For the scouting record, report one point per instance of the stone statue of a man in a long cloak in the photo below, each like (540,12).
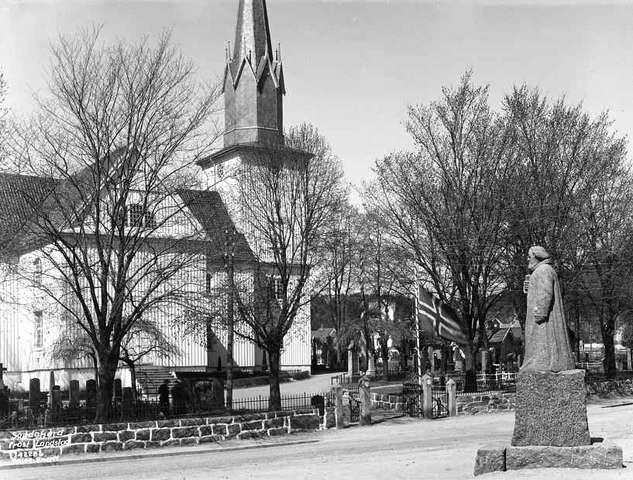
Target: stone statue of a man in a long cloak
(547,346)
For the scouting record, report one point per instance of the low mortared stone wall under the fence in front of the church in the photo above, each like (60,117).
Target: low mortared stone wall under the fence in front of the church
(50,443)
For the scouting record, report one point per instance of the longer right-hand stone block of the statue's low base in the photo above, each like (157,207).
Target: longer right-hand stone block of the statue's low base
(598,455)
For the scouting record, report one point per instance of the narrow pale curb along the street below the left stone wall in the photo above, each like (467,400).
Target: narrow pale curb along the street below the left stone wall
(155,453)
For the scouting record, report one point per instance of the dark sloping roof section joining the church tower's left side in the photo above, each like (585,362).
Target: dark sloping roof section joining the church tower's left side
(209,210)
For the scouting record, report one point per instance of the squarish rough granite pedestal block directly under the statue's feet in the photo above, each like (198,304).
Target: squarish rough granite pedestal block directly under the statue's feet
(551,409)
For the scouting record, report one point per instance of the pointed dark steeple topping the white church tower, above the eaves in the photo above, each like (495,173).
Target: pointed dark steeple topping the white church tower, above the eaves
(253,81)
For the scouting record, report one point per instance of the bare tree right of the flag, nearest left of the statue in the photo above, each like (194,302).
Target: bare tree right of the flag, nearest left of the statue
(444,203)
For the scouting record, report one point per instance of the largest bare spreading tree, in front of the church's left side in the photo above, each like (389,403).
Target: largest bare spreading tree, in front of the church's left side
(117,137)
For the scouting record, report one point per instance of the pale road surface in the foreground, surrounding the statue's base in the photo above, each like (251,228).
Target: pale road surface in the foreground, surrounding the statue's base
(398,449)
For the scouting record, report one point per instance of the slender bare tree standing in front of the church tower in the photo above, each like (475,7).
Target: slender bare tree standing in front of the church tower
(287,201)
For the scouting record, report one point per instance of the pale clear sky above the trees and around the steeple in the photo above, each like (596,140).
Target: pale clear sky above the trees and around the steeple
(352,67)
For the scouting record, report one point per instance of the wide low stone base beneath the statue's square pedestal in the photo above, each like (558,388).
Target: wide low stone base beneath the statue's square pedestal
(600,454)
